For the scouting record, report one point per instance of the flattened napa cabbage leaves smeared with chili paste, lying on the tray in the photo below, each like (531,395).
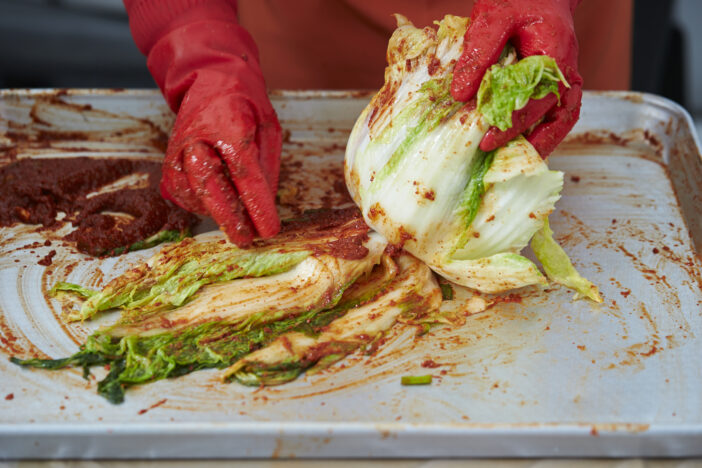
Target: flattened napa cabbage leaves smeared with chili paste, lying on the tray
(286,286)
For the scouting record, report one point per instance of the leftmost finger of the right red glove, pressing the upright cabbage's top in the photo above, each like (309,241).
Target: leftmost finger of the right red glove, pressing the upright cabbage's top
(488,32)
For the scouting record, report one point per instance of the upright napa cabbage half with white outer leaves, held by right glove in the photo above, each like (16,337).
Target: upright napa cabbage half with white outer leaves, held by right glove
(414,167)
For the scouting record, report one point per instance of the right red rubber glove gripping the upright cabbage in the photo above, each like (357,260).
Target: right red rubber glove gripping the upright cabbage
(533,27)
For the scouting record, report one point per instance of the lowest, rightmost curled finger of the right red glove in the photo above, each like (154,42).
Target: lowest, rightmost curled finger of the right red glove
(558,122)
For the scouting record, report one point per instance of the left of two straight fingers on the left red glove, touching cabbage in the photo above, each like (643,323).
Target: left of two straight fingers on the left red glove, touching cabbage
(206,175)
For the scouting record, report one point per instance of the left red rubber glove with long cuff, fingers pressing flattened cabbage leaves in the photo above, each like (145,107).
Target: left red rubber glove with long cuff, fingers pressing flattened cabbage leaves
(223,155)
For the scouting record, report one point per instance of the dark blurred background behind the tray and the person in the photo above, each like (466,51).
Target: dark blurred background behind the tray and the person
(86,43)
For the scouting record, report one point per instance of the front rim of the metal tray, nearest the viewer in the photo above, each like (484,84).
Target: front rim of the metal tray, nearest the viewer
(353,441)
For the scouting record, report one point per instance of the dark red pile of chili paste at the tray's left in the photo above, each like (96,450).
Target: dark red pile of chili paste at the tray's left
(108,221)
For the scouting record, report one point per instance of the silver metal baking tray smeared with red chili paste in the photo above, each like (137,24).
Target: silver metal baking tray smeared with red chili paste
(542,375)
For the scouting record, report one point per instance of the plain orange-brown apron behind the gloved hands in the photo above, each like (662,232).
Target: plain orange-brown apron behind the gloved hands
(340,44)
